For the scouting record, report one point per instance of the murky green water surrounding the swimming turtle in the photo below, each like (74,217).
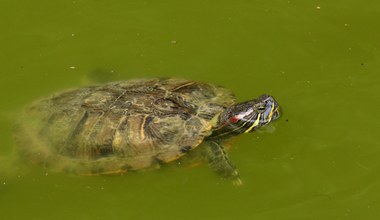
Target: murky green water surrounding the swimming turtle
(320,59)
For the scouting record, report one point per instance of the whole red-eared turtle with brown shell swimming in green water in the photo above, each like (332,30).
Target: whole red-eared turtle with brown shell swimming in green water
(123,126)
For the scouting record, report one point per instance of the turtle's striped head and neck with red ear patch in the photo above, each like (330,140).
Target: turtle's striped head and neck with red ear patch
(247,116)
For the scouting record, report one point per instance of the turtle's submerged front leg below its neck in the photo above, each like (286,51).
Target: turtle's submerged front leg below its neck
(219,162)
